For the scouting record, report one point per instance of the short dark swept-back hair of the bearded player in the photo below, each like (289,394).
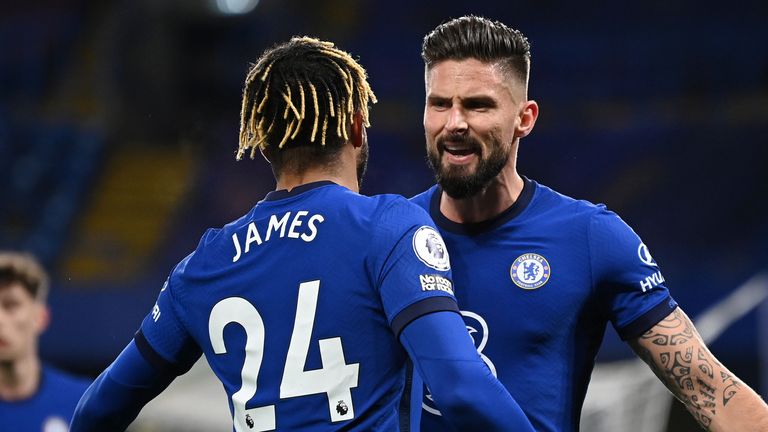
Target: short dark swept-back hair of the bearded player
(479,38)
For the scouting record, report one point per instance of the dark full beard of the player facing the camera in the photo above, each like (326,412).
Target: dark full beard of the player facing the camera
(460,181)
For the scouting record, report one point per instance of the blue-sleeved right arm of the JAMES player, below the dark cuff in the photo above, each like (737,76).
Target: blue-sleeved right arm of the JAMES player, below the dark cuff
(464,389)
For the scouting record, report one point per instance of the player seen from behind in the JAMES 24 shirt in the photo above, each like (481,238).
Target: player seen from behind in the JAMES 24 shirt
(318,294)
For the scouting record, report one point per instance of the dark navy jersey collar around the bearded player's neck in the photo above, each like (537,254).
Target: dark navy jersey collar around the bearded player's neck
(475,228)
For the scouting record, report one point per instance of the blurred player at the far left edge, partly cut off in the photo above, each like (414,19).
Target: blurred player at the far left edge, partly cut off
(33,396)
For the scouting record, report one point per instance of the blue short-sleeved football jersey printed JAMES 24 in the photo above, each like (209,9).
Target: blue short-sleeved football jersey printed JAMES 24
(297,307)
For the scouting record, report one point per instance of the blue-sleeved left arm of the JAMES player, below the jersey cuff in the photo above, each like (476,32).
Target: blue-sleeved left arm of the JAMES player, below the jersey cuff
(114,400)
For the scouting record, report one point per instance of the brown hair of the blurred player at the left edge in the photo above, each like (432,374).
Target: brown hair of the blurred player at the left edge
(24,269)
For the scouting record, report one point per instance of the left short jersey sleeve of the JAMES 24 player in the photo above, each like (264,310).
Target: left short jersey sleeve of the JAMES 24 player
(163,339)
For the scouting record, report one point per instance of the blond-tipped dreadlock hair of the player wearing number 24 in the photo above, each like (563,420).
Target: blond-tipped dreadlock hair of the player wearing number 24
(298,101)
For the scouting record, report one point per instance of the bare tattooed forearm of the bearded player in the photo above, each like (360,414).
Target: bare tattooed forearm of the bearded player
(716,398)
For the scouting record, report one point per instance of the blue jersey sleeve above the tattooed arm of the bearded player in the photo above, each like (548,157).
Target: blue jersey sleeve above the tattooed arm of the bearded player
(626,276)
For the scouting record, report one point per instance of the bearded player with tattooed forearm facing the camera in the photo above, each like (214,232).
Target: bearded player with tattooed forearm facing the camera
(539,274)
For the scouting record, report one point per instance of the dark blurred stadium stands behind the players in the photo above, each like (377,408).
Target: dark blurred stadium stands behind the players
(119,120)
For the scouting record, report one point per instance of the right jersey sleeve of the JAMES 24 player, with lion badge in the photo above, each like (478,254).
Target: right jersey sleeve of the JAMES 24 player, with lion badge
(413,267)
